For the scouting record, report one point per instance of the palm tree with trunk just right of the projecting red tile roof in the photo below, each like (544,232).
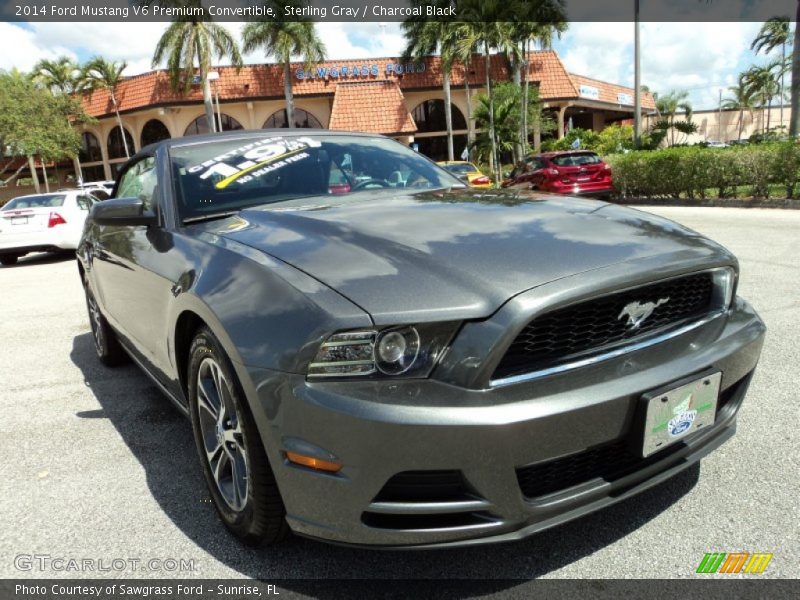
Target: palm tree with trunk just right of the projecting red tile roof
(424,38)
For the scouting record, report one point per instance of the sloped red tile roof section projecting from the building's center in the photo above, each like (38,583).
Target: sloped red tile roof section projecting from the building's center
(372,107)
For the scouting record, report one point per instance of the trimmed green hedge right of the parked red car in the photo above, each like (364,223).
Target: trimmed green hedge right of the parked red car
(697,172)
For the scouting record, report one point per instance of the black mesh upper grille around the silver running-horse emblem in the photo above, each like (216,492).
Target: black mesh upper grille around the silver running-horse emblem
(578,330)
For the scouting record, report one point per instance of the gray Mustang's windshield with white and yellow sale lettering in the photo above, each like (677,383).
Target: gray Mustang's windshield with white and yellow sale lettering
(227,175)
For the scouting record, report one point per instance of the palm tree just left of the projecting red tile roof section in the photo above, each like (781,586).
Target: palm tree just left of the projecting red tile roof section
(284,39)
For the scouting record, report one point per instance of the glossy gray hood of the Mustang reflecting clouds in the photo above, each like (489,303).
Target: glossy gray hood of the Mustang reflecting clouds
(437,256)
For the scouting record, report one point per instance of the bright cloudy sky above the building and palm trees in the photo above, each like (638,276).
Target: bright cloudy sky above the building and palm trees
(700,58)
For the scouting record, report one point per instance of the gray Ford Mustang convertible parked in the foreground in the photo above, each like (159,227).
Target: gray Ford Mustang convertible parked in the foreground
(369,353)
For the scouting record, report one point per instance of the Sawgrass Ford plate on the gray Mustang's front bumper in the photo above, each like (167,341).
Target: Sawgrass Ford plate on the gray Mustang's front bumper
(674,413)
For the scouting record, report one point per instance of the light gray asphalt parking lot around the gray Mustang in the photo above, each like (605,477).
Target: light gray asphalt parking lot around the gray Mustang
(99,465)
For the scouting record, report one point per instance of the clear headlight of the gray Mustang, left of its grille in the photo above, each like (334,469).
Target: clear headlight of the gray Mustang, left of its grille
(407,351)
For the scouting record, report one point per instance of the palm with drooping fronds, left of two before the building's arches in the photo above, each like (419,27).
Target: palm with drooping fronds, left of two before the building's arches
(190,40)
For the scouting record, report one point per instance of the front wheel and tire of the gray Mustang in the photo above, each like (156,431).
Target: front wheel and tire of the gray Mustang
(233,459)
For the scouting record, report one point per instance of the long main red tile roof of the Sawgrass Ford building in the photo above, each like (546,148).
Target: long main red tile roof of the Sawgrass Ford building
(266,82)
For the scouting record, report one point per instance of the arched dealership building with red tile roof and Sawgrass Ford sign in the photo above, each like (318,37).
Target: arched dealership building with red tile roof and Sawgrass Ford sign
(377,95)
